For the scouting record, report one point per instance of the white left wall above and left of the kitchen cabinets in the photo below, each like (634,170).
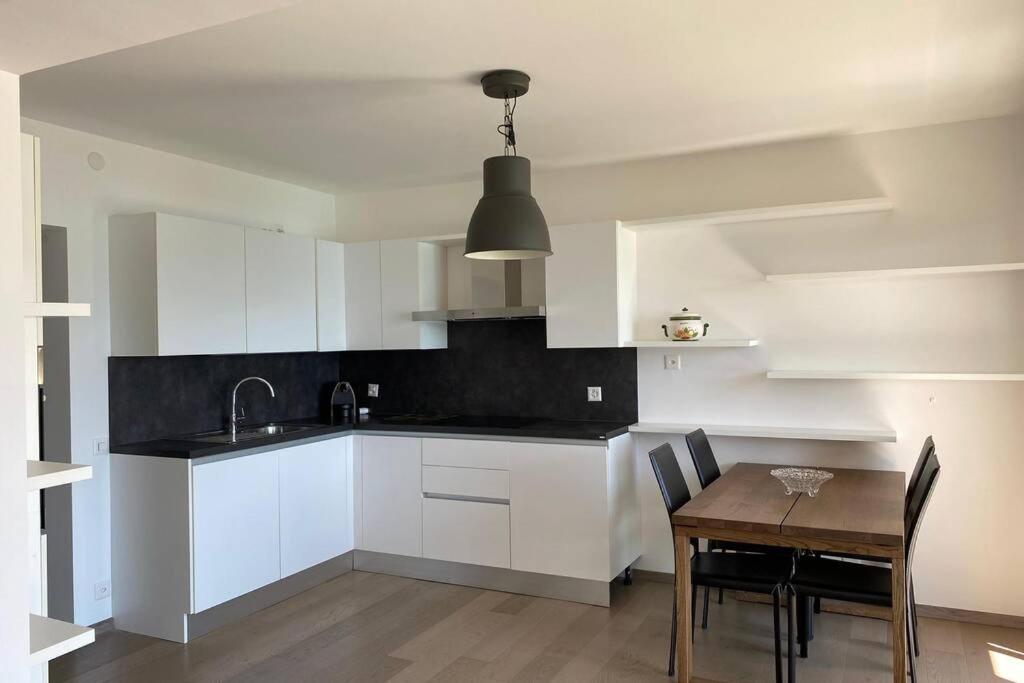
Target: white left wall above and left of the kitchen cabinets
(80,199)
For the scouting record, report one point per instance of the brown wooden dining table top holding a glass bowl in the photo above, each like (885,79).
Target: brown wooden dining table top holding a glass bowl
(865,506)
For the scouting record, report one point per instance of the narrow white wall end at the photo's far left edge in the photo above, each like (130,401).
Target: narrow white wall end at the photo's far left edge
(14,511)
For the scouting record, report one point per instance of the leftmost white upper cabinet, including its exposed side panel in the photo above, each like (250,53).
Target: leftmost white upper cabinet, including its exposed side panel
(178,286)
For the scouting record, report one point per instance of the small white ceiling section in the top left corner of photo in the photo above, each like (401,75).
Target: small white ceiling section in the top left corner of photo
(37,34)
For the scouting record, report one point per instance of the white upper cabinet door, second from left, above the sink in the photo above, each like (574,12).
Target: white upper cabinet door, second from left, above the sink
(281,292)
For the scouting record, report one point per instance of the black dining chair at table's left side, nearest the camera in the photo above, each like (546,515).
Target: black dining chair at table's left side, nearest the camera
(766,575)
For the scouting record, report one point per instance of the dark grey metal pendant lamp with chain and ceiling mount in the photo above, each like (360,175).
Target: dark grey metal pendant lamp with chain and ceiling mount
(507,224)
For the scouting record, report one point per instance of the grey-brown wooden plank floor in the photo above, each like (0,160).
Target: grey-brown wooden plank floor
(366,627)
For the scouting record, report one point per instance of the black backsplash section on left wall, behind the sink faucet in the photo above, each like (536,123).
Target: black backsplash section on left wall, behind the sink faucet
(159,397)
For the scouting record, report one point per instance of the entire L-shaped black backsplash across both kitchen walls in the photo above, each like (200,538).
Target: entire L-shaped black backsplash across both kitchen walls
(495,368)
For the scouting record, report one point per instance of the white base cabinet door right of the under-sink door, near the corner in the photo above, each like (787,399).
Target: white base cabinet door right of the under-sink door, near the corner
(316,520)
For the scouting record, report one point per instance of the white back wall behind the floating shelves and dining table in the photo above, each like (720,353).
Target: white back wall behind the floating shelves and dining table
(958,195)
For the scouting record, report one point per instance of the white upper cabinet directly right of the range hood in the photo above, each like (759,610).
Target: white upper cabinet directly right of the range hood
(591,286)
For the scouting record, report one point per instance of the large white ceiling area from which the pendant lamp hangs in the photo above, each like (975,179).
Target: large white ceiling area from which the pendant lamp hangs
(349,95)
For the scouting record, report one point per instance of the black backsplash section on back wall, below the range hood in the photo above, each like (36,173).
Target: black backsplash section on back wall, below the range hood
(499,368)
